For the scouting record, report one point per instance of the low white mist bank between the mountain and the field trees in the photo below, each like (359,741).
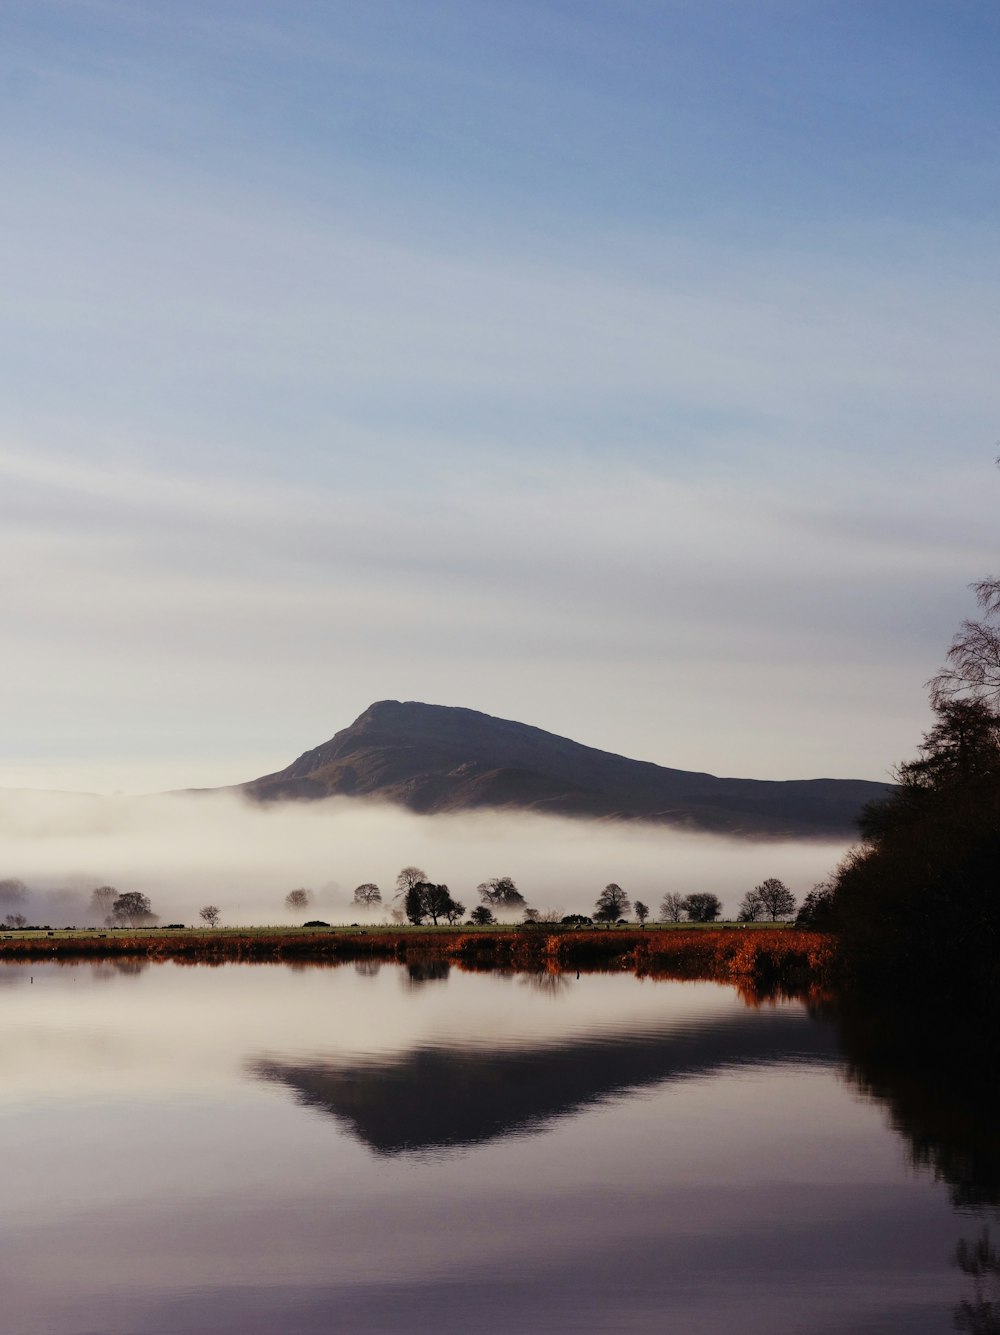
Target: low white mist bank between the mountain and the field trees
(185,851)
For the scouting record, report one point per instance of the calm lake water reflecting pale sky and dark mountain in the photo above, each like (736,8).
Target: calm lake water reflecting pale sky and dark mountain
(361,1149)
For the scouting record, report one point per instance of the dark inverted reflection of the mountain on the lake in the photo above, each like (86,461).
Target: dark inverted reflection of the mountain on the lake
(461,1095)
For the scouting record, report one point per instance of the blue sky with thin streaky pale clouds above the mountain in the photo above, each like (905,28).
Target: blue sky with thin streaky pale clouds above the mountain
(627,369)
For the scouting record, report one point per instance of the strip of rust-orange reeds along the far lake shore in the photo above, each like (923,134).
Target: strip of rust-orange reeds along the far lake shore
(726,954)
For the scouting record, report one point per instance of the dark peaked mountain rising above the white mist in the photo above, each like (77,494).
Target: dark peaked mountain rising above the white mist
(440,759)
